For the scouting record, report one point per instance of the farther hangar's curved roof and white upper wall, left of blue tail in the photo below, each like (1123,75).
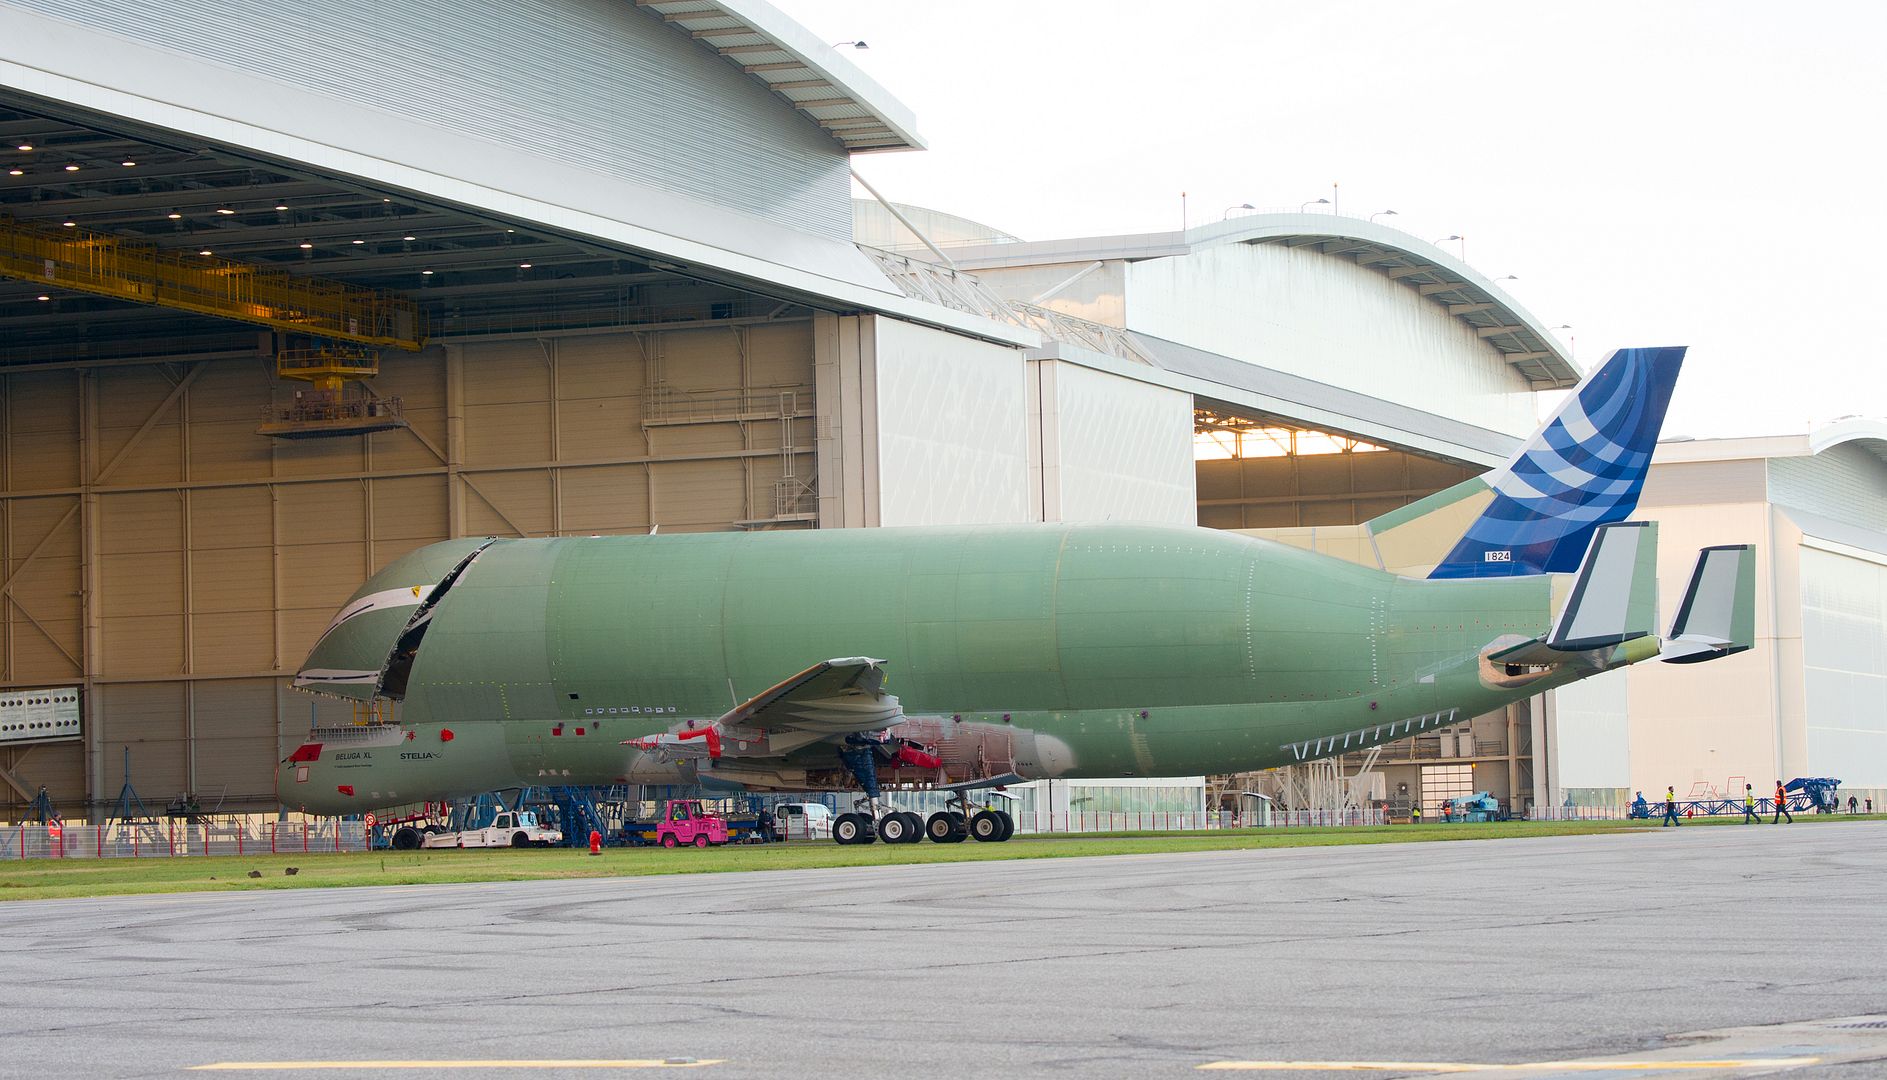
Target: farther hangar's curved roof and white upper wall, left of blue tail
(1339,322)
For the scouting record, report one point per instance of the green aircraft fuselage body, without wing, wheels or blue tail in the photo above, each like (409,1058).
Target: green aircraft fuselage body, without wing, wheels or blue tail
(1029,650)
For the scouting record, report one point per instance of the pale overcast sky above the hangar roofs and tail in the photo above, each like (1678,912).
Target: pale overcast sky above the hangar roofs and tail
(1652,173)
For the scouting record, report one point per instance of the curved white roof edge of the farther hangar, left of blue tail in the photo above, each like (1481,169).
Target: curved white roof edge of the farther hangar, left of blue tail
(1418,265)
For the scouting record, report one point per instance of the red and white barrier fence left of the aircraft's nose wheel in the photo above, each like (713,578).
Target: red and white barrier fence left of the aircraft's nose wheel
(175,839)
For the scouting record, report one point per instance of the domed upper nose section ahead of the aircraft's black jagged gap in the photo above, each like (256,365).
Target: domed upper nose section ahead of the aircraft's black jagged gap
(373,630)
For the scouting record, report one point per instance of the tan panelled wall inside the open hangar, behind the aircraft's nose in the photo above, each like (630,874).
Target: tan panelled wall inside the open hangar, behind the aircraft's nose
(218,556)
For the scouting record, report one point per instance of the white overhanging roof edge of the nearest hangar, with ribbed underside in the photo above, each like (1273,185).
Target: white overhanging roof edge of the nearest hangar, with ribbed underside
(809,73)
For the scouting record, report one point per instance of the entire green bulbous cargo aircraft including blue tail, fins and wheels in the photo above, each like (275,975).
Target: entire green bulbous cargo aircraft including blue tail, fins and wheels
(767,662)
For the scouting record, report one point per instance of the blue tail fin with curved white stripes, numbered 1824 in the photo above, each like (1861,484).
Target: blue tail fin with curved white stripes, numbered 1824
(1580,471)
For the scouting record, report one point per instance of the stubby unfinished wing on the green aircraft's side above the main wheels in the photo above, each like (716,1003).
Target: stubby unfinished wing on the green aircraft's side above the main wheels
(829,700)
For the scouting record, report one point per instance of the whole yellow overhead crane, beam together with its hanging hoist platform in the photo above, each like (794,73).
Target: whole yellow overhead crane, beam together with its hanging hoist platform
(210,286)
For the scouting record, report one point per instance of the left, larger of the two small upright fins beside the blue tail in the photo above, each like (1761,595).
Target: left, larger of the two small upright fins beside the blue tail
(1616,594)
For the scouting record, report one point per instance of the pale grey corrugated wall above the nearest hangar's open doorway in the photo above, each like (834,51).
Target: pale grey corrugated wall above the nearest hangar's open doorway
(597,84)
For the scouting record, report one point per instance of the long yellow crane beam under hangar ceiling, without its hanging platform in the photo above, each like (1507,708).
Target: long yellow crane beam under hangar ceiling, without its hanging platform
(210,286)
